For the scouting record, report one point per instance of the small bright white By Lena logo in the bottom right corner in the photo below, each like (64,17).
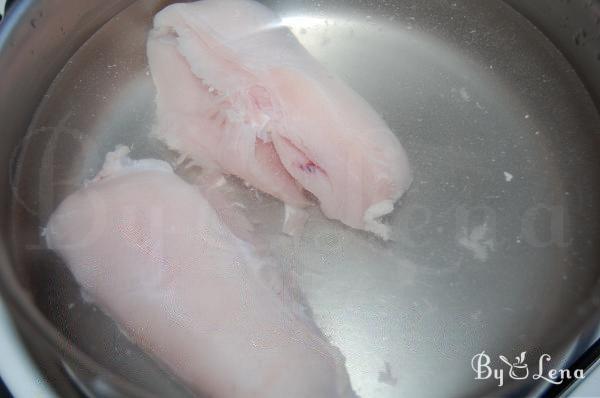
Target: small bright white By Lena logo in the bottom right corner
(519,370)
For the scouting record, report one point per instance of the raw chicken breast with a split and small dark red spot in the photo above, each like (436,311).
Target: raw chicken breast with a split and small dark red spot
(237,91)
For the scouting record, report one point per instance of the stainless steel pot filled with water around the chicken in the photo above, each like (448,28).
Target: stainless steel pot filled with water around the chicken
(497,245)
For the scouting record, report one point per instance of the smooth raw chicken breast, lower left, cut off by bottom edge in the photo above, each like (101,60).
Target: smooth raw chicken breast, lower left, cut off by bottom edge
(151,251)
